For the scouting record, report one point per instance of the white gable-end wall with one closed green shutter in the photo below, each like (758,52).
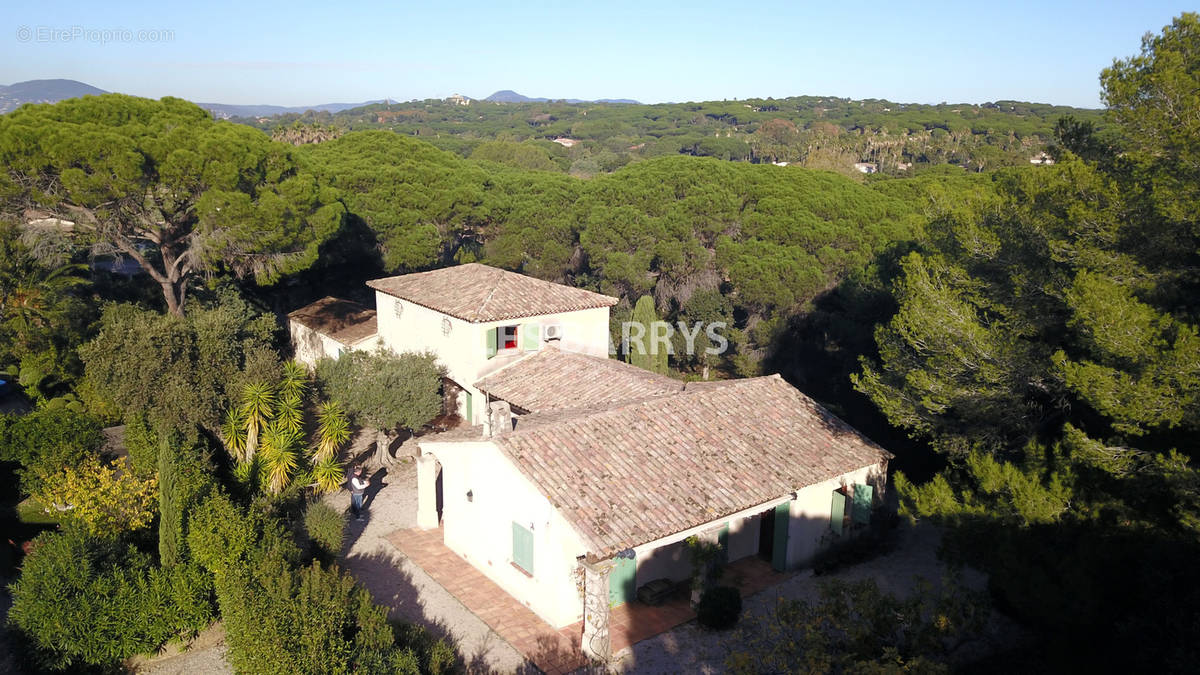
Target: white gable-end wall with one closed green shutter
(482,530)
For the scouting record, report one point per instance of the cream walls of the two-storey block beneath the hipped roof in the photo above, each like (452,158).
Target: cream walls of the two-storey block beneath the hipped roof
(464,351)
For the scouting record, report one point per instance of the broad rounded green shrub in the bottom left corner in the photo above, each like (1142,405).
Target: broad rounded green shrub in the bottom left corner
(89,602)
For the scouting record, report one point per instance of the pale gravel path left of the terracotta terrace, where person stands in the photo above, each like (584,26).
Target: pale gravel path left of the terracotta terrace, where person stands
(405,588)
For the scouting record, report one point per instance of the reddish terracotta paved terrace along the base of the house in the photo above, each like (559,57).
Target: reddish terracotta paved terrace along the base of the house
(551,650)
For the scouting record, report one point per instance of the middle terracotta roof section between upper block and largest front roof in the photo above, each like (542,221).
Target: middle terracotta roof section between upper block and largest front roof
(556,380)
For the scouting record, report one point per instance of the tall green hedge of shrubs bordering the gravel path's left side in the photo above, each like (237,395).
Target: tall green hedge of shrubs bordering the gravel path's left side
(280,619)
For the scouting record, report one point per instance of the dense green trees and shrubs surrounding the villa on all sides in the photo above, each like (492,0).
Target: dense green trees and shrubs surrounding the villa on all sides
(1023,338)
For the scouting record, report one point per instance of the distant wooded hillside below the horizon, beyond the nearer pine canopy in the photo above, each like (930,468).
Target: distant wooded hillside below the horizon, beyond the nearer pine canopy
(811,132)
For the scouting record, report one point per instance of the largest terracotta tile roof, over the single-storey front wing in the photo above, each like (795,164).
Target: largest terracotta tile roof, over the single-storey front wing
(635,473)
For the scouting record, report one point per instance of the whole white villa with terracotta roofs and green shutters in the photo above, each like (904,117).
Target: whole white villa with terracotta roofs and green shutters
(578,479)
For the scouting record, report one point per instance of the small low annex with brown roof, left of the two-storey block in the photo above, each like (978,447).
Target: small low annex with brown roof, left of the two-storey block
(329,328)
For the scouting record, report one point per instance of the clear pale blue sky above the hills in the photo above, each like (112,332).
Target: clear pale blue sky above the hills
(308,53)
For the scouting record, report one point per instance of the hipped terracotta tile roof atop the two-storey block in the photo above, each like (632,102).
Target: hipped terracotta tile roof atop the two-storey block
(477,294)
